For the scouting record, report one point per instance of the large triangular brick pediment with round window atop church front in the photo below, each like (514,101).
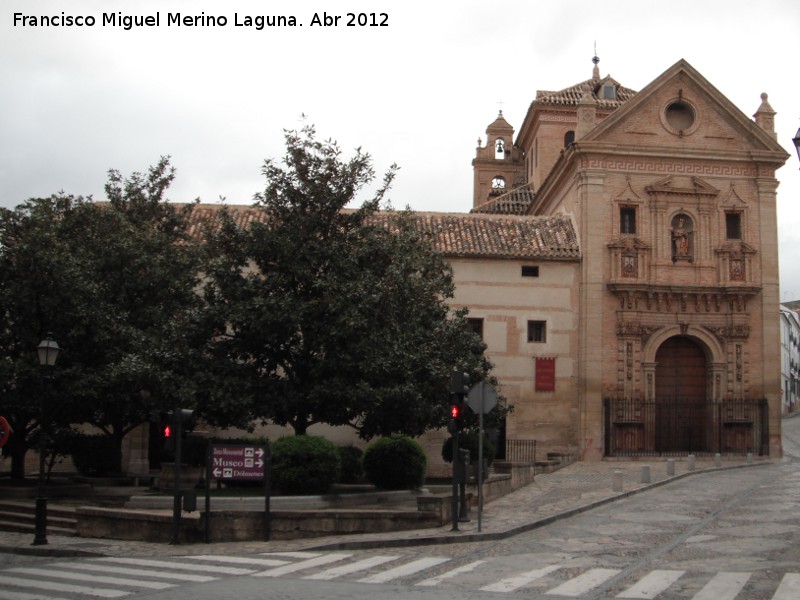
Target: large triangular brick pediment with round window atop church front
(682,110)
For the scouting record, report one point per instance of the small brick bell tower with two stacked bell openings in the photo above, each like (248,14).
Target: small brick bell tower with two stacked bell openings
(497,166)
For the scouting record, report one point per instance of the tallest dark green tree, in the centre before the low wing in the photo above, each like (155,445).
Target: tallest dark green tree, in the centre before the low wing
(327,314)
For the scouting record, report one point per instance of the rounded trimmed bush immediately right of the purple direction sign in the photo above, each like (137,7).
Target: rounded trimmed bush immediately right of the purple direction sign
(304,464)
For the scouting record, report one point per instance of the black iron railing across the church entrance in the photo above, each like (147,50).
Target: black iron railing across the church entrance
(680,426)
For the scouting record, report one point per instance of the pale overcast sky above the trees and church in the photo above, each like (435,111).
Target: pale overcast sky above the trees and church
(418,91)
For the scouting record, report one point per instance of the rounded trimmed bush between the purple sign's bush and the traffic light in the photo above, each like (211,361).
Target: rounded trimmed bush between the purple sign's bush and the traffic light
(395,463)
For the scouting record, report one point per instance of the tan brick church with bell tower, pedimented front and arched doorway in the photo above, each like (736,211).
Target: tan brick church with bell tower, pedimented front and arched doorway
(674,345)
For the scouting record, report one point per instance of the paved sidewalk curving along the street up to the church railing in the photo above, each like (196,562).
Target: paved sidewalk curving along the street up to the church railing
(572,489)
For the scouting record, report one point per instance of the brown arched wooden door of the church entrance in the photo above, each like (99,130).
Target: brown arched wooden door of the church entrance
(682,412)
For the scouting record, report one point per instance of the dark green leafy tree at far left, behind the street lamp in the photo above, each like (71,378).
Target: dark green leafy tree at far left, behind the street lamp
(115,285)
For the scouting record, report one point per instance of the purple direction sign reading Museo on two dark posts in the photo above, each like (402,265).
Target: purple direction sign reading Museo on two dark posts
(235,462)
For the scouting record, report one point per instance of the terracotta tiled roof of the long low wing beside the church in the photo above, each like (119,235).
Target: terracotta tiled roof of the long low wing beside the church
(459,234)
